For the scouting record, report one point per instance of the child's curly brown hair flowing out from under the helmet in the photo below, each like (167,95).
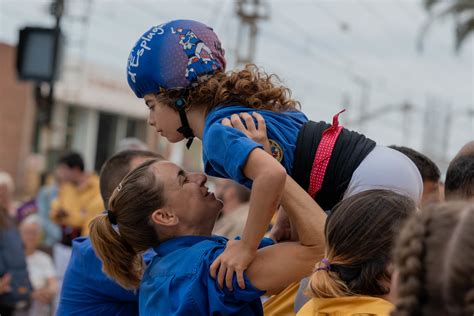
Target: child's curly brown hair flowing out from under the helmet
(250,87)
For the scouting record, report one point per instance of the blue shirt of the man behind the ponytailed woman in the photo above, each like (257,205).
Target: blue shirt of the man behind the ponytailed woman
(86,290)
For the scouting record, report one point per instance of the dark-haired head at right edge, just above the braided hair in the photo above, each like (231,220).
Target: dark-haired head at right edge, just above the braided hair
(460,178)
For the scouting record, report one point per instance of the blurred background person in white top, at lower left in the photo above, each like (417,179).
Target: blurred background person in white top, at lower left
(40,266)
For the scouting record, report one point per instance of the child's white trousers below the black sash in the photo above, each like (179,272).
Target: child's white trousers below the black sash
(385,168)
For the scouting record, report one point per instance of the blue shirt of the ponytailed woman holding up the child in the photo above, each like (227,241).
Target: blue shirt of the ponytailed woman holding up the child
(178,282)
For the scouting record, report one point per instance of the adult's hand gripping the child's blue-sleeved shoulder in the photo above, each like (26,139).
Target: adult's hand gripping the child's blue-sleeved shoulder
(256,133)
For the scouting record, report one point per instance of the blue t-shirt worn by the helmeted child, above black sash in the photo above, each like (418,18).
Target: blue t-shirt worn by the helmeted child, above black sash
(226,149)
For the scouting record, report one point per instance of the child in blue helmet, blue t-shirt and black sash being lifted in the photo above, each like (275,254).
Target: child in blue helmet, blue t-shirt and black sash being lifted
(179,69)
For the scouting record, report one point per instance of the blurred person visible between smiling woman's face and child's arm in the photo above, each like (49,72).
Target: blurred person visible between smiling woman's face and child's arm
(234,213)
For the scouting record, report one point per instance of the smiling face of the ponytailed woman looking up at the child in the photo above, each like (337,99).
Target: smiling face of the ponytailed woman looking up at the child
(187,195)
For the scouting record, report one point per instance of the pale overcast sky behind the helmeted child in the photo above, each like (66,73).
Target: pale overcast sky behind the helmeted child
(337,54)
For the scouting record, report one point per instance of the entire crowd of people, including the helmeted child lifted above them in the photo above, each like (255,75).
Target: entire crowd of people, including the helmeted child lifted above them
(307,218)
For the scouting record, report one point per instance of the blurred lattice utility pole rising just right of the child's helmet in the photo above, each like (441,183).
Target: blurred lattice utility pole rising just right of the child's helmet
(249,13)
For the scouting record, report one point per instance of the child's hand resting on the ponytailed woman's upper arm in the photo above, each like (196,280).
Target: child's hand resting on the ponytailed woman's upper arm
(236,257)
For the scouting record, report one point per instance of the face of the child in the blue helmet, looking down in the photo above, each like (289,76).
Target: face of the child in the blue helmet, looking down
(163,118)
